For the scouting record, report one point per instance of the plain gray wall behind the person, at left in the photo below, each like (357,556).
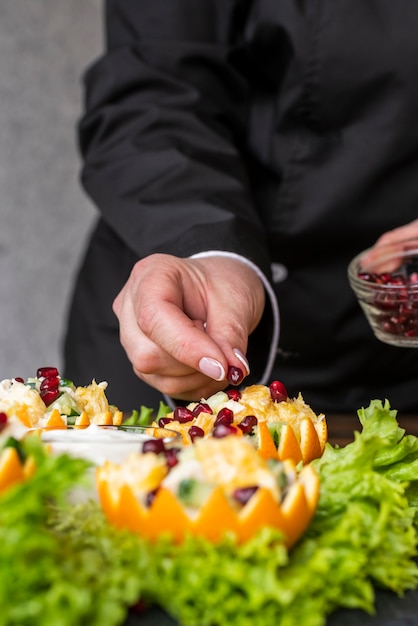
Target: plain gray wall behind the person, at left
(45,218)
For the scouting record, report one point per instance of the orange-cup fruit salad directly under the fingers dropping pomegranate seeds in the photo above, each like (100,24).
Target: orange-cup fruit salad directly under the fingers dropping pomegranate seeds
(281,427)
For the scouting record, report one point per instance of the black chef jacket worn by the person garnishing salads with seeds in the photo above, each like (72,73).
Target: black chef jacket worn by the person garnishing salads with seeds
(285,131)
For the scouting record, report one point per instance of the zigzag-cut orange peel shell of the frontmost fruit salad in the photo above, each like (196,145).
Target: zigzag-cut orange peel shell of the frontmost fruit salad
(167,515)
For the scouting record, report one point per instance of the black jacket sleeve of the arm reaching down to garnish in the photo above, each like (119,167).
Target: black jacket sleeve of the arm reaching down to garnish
(164,129)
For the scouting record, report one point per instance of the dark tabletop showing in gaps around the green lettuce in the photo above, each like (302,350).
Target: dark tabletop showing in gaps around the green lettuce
(390,609)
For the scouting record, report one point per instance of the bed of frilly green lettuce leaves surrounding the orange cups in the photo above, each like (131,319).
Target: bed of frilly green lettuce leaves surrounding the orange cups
(64,564)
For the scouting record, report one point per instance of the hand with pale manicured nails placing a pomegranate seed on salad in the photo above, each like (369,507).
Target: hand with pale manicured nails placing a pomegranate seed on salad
(183,322)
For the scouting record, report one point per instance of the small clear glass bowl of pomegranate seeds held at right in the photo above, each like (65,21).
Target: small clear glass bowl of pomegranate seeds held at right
(385,281)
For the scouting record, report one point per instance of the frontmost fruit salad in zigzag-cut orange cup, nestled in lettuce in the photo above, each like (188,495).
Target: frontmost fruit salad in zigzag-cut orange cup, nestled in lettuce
(216,486)
